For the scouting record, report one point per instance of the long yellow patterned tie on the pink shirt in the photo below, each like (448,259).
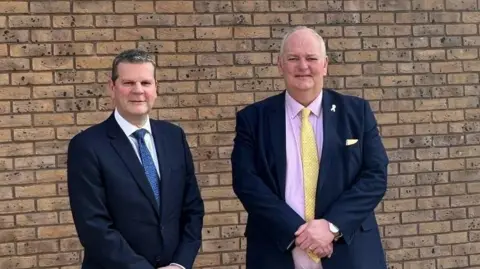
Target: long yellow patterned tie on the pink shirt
(310,170)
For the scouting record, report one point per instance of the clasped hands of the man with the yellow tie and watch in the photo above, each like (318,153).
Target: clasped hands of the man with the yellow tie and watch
(315,236)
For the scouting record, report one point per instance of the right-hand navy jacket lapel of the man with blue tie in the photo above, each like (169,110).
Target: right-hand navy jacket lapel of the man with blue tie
(163,148)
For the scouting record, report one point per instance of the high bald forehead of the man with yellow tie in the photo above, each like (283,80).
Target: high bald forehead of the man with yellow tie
(302,42)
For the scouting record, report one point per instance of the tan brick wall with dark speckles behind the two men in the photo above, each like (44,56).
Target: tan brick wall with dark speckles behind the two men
(415,60)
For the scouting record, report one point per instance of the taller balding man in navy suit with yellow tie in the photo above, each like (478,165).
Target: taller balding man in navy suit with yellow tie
(309,167)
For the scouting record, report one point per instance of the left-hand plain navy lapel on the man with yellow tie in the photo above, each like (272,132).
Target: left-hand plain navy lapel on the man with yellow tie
(276,120)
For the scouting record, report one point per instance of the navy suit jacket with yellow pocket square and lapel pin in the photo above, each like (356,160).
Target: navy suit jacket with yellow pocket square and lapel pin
(352,181)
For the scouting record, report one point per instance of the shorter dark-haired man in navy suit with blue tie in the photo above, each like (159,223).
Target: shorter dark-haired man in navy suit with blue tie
(133,191)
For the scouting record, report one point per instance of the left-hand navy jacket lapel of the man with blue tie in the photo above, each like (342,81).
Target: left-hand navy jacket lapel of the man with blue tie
(124,149)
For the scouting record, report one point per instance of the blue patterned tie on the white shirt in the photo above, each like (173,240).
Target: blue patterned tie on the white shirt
(147,162)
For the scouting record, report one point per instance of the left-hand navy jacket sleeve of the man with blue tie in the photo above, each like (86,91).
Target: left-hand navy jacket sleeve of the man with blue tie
(94,225)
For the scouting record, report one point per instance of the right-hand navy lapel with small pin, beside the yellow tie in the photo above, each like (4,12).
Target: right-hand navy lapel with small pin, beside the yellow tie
(330,119)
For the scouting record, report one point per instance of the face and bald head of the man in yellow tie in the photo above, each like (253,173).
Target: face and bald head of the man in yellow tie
(302,63)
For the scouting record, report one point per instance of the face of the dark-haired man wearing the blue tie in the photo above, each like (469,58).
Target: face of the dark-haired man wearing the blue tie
(134,92)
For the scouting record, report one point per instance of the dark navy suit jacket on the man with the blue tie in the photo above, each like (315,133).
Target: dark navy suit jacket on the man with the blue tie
(115,213)
